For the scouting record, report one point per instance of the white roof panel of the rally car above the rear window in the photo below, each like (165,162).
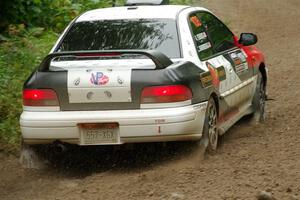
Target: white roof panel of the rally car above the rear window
(133,12)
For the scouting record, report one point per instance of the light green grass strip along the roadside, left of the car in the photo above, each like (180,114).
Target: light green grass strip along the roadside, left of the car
(19,55)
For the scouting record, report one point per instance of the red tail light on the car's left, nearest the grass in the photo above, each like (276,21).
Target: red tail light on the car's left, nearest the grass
(40,97)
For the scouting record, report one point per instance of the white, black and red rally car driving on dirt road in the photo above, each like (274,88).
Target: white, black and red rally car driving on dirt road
(144,73)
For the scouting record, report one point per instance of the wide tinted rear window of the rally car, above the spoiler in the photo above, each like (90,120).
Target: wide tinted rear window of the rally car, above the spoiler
(142,34)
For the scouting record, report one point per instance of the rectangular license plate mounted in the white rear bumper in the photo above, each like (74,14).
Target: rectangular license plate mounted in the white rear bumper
(99,133)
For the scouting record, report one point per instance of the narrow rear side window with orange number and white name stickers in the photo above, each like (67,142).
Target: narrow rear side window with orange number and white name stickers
(202,42)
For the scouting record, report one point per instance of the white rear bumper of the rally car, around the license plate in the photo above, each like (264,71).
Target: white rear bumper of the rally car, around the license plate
(144,125)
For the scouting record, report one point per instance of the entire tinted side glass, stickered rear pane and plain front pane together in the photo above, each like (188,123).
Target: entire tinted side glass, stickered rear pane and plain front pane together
(211,36)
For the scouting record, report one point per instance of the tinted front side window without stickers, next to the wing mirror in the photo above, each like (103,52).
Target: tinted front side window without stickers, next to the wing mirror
(220,36)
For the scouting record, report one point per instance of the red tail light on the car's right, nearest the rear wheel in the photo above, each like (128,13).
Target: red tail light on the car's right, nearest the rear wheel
(166,94)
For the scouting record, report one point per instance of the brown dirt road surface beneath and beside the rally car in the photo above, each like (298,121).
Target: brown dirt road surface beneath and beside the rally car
(250,158)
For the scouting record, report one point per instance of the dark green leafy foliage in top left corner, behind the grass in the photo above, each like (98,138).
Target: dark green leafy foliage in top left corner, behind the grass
(46,13)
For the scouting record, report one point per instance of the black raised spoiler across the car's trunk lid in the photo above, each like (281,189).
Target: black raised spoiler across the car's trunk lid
(160,60)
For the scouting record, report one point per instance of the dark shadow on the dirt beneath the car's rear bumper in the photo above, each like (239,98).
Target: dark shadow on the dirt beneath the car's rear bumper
(85,160)
